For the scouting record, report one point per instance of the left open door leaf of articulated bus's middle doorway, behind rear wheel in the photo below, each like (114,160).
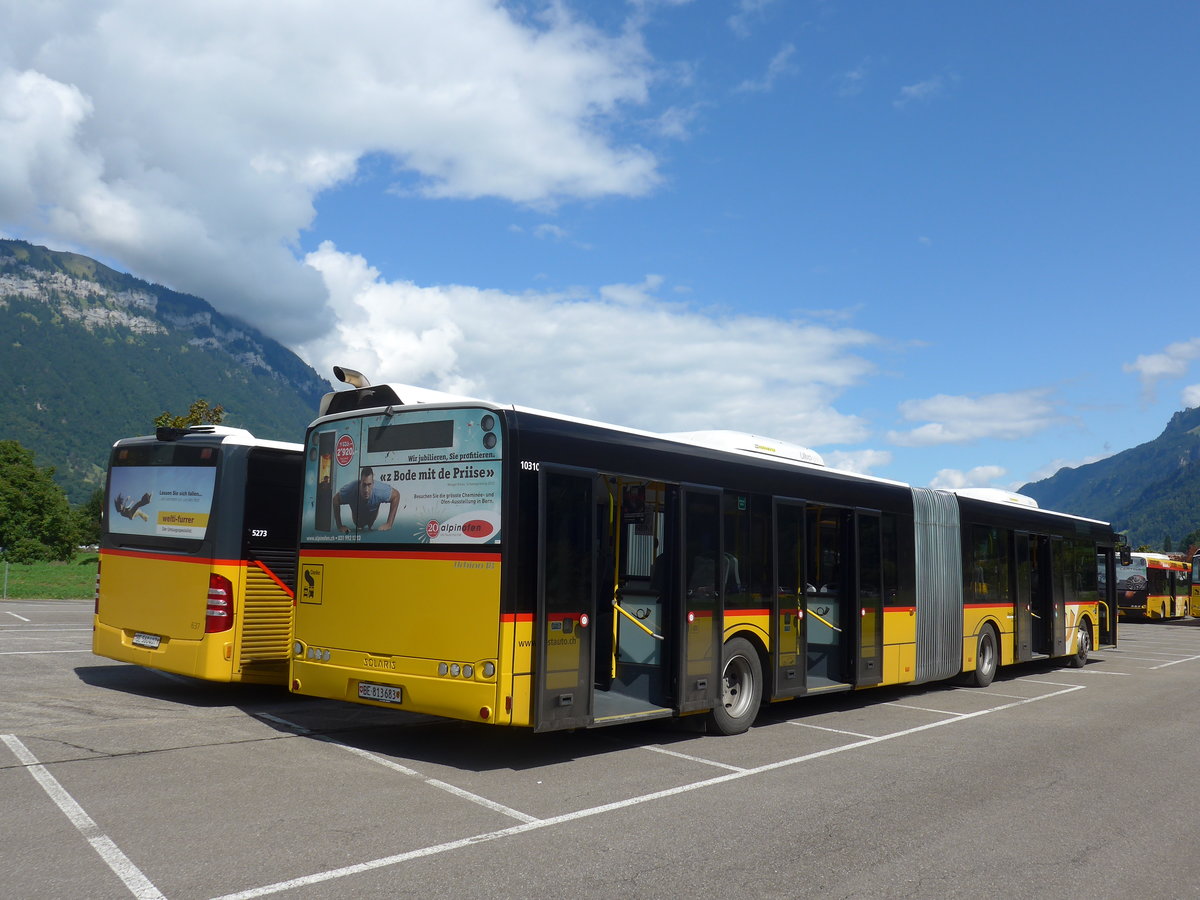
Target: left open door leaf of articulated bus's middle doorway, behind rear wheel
(789,620)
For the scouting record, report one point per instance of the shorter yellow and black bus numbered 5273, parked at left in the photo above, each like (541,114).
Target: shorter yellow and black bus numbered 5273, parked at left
(199,554)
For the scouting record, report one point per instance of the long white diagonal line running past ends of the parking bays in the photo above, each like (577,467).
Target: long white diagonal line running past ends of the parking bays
(386,862)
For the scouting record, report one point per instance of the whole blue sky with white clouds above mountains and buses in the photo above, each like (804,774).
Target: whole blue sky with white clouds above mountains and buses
(953,244)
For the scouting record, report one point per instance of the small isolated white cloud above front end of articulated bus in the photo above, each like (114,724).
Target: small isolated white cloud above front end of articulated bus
(962,421)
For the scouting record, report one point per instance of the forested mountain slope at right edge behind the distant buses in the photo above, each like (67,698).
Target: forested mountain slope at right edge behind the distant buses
(1150,493)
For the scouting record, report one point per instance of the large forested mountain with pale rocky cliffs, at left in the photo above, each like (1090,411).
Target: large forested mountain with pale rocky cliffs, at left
(91,356)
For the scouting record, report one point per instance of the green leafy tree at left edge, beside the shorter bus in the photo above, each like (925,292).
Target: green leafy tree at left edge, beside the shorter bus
(35,518)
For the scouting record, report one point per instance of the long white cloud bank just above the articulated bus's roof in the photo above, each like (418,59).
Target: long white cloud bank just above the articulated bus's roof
(623,357)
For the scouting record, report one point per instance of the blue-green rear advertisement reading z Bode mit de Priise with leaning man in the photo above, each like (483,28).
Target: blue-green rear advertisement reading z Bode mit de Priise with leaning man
(418,477)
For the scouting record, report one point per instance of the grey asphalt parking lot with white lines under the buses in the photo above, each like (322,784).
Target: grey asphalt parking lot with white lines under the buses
(119,781)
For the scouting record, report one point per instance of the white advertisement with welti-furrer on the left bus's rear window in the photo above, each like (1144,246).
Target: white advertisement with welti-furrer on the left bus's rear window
(161,501)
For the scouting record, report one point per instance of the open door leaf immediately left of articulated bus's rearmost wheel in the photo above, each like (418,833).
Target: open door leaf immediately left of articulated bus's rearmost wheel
(700,620)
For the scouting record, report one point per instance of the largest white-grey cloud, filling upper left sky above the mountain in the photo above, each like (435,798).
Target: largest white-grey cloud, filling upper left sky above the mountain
(190,140)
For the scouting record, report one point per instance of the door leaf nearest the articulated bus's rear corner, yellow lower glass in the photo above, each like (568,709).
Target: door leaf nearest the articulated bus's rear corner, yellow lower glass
(567,599)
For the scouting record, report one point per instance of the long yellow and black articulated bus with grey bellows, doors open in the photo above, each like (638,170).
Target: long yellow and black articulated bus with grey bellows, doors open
(511,567)
